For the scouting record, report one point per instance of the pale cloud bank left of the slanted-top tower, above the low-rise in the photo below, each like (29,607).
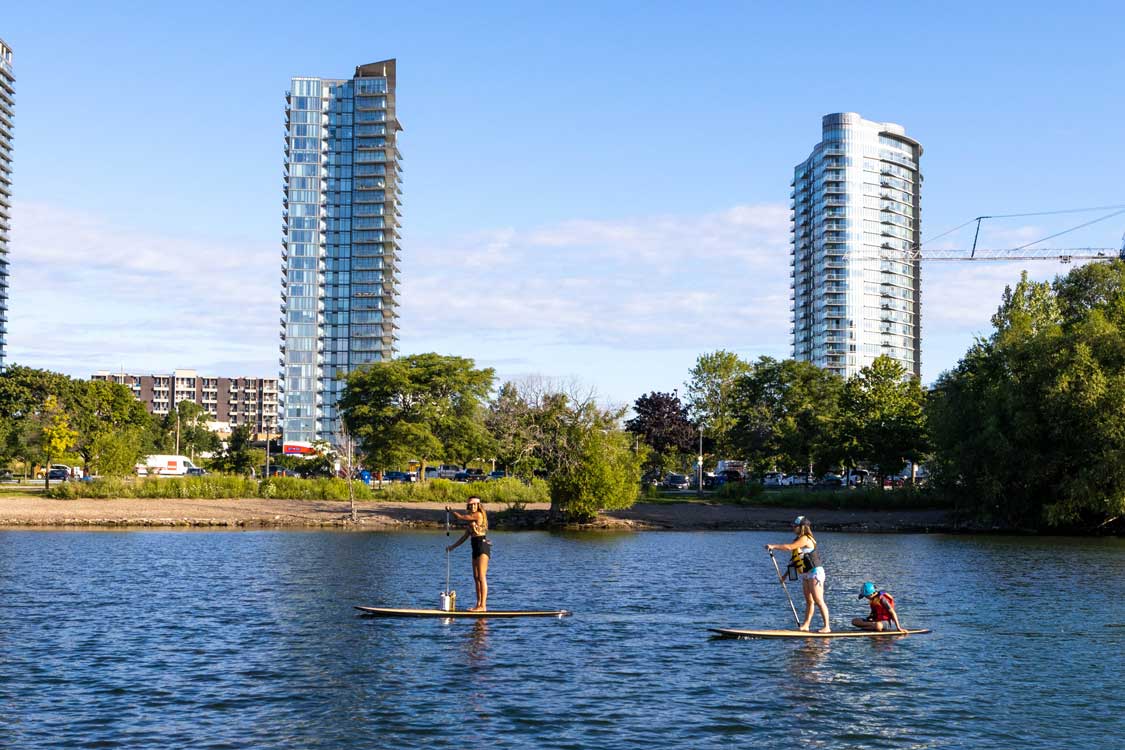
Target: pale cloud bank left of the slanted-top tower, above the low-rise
(87,296)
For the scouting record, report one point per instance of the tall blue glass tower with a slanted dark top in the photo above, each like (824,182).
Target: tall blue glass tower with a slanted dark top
(340,247)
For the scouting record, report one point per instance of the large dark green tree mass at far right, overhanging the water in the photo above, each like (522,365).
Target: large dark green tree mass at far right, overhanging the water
(1029,430)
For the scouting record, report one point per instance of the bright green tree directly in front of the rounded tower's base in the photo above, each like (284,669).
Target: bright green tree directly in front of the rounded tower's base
(884,422)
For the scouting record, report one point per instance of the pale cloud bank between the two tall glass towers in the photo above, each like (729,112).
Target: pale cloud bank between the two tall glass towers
(649,283)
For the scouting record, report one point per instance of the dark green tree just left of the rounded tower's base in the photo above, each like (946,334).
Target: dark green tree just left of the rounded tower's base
(786,415)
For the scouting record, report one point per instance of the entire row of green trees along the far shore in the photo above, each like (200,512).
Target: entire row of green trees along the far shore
(1027,431)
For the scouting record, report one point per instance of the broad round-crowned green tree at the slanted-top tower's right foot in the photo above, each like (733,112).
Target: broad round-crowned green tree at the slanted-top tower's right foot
(418,408)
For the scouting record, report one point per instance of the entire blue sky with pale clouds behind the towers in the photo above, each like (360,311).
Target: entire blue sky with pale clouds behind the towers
(593,192)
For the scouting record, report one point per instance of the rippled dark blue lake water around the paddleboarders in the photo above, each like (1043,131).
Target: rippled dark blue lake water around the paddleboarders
(249,639)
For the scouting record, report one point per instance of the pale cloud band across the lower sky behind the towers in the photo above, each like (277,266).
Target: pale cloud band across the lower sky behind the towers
(88,296)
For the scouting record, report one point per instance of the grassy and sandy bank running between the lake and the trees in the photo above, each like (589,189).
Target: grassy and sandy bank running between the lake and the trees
(237,503)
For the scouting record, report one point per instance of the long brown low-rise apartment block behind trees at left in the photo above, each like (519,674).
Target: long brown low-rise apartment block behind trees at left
(235,402)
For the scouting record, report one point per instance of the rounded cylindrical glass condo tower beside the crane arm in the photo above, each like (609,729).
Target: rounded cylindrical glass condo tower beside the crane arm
(856,219)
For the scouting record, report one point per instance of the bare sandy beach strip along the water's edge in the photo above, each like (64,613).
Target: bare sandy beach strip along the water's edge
(256,513)
